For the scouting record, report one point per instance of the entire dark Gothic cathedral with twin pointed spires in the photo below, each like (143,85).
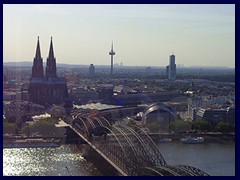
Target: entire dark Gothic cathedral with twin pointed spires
(49,89)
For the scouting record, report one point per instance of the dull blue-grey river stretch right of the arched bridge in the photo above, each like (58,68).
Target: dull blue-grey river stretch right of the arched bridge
(216,159)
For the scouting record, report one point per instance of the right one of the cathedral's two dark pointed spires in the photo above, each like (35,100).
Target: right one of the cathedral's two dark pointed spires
(51,70)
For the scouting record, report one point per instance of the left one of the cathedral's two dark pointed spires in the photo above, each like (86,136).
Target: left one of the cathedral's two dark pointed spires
(37,69)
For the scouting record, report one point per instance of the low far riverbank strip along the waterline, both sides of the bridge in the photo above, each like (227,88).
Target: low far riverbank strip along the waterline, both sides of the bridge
(34,142)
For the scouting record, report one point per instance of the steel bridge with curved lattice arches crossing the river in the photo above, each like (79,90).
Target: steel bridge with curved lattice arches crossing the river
(128,148)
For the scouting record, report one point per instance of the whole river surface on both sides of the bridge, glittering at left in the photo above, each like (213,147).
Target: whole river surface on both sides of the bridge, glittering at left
(217,159)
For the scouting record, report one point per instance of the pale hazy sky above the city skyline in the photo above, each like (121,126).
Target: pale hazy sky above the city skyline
(199,35)
